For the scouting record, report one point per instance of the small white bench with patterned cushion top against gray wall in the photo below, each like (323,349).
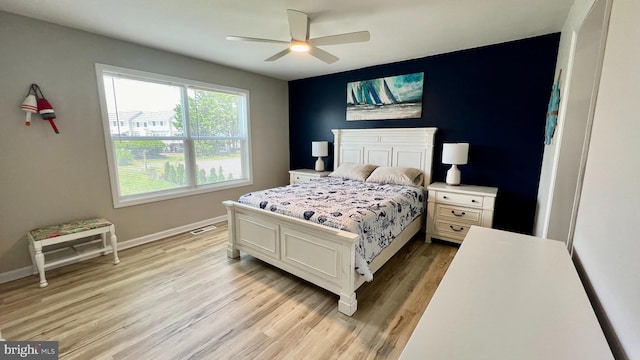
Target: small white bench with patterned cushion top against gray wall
(68,233)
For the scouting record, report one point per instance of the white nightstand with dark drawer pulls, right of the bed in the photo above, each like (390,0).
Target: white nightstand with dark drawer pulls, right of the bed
(451,210)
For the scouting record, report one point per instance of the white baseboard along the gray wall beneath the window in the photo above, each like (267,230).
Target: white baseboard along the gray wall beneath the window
(122,245)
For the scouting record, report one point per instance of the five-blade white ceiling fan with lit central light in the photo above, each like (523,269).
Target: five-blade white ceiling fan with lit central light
(300,42)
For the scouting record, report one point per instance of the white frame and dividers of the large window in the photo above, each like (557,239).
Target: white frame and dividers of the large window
(192,188)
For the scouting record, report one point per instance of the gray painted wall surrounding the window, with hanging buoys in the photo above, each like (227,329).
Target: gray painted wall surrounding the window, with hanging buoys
(47,178)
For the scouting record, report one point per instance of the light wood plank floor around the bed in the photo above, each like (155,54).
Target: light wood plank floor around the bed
(182,298)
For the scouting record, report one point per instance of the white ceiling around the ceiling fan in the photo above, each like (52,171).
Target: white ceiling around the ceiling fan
(400,29)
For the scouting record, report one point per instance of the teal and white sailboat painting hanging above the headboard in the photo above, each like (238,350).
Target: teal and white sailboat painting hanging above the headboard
(393,97)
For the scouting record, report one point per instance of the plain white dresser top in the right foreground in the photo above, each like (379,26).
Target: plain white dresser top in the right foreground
(508,296)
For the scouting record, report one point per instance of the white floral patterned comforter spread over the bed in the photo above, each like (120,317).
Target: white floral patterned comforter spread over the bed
(376,212)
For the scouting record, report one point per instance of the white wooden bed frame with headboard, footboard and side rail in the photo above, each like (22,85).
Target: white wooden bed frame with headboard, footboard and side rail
(319,254)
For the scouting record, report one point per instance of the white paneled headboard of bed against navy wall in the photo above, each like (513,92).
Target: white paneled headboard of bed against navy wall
(410,147)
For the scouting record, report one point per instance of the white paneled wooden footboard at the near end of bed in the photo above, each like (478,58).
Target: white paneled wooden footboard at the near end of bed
(316,253)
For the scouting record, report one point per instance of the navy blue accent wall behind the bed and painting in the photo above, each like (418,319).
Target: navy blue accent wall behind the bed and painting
(494,97)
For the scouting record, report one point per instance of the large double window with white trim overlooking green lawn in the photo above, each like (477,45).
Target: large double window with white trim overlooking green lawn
(201,142)
